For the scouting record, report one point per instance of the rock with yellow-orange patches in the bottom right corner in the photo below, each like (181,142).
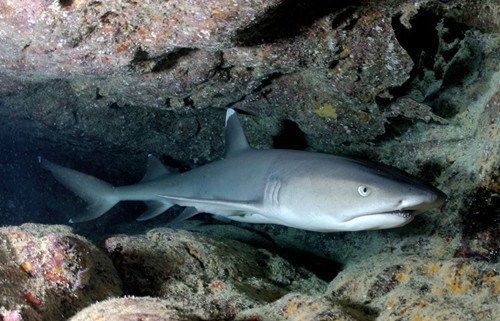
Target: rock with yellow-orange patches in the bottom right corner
(419,288)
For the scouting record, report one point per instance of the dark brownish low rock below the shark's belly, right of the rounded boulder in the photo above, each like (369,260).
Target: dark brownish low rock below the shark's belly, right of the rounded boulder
(217,276)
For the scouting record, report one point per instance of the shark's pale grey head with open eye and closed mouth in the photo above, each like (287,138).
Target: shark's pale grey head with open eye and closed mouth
(350,195)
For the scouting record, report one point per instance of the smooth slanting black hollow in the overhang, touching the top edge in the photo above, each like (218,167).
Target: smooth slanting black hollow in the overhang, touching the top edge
(289,20)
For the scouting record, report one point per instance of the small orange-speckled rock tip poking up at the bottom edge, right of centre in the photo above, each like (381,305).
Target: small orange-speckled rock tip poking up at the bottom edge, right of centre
(299,307)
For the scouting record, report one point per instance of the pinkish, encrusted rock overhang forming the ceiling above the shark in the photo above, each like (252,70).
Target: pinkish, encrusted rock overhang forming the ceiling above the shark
(328,68)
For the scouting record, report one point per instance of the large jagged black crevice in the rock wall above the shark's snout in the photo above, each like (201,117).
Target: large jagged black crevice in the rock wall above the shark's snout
(432,42)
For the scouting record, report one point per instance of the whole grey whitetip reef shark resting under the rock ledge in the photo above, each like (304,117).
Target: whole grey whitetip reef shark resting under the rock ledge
(300,189)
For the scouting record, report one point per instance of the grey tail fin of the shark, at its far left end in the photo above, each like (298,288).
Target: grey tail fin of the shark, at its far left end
(100,195)
